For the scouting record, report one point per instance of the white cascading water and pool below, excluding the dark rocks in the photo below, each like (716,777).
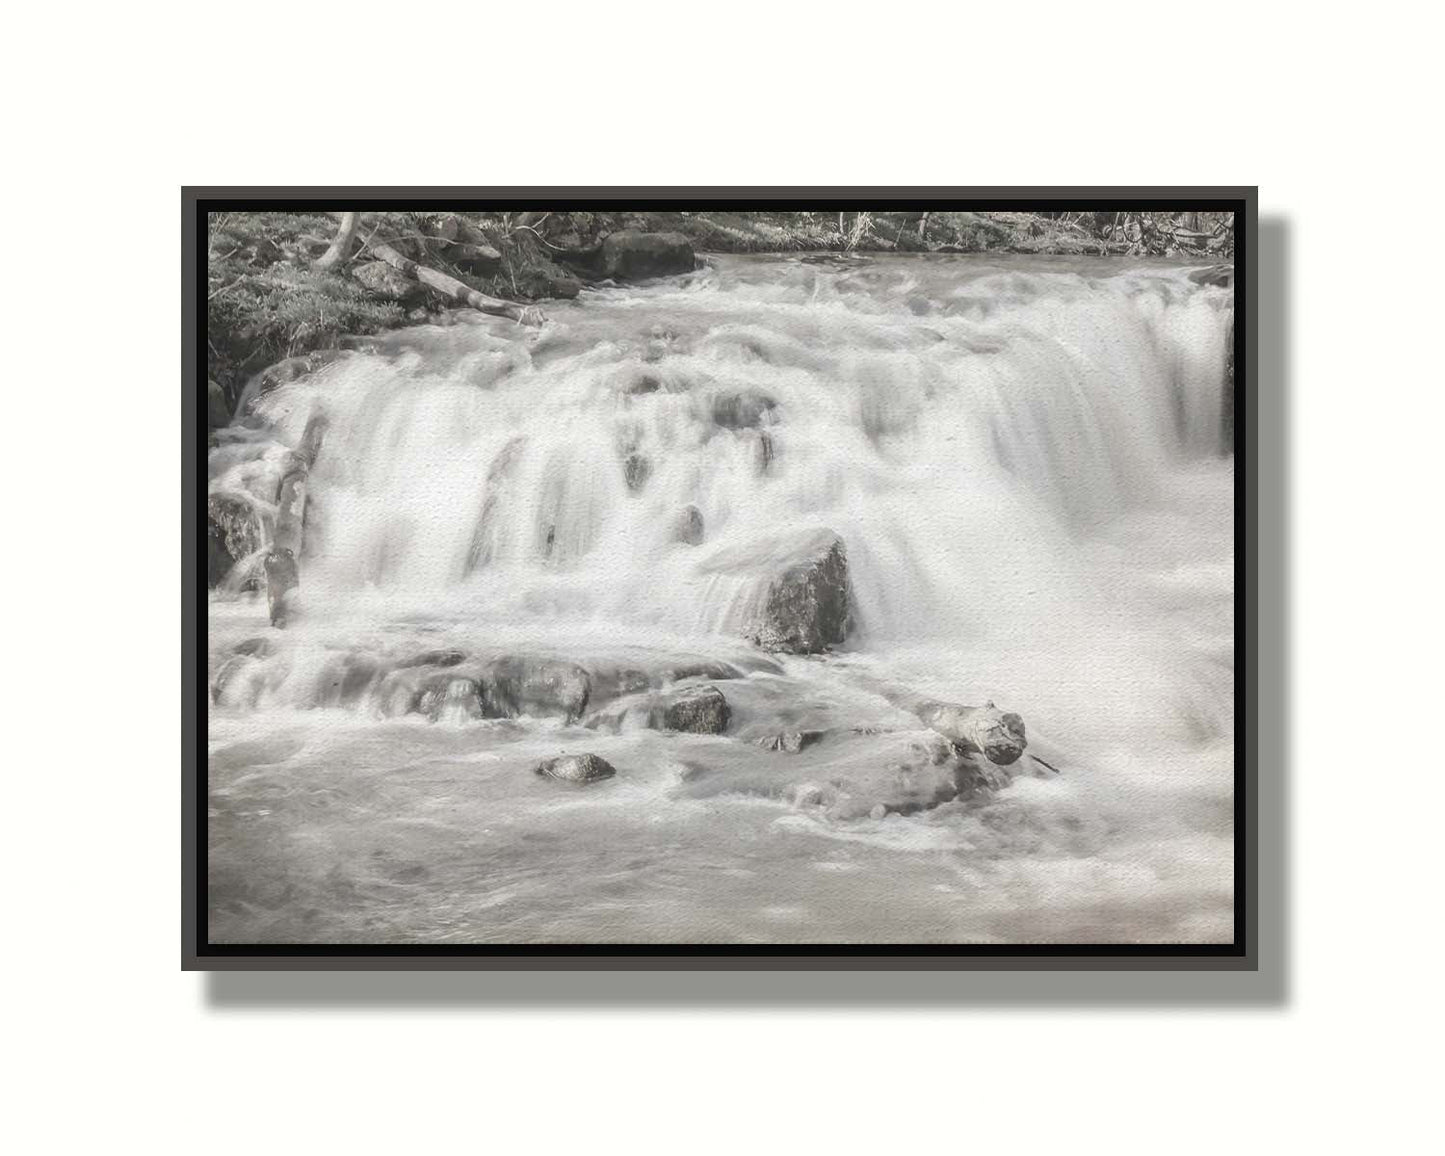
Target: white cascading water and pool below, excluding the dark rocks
(1024,463)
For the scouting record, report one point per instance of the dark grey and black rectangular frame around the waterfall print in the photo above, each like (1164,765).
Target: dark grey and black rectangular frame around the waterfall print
(1241,956)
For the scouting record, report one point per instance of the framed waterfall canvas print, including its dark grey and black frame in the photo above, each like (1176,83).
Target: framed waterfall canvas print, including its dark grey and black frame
(710,579)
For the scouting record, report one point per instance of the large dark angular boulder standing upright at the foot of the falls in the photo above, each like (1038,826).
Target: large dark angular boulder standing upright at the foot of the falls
(808,608)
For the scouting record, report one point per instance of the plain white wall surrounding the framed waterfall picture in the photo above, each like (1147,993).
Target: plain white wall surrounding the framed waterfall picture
(113,112)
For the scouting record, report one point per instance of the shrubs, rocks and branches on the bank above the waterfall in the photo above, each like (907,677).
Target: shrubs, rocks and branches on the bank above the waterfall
(278,285)
